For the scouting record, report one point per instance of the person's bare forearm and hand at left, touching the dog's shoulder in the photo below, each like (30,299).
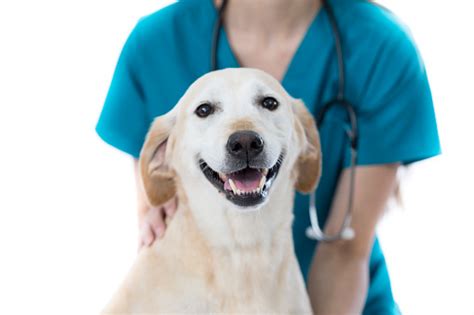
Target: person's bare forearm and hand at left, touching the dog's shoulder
(152,221)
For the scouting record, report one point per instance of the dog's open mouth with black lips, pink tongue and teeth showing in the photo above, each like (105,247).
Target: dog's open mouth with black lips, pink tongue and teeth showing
(246,187)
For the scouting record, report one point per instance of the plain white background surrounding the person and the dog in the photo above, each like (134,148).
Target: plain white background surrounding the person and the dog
(67,200)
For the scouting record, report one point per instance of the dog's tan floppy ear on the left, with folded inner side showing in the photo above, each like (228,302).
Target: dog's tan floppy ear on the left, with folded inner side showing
(157,176)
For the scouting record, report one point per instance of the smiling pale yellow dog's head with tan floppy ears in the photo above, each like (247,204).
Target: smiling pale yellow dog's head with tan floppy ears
(237,133)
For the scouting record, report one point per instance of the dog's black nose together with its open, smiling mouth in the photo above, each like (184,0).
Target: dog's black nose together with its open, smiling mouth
(247,178)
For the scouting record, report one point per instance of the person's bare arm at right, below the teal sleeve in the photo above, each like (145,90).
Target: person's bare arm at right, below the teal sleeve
(339,275)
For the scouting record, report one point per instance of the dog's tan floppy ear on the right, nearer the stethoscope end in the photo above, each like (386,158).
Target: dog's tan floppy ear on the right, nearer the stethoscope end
(308,165)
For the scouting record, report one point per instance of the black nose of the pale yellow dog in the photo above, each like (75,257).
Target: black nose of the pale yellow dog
(245,144)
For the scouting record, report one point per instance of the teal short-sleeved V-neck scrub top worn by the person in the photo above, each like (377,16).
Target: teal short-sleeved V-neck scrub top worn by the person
(385,79)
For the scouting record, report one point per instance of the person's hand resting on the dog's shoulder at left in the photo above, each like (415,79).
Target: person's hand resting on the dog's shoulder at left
(153,223)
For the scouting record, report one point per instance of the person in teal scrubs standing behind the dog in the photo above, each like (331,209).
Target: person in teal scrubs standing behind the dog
(293,41)
